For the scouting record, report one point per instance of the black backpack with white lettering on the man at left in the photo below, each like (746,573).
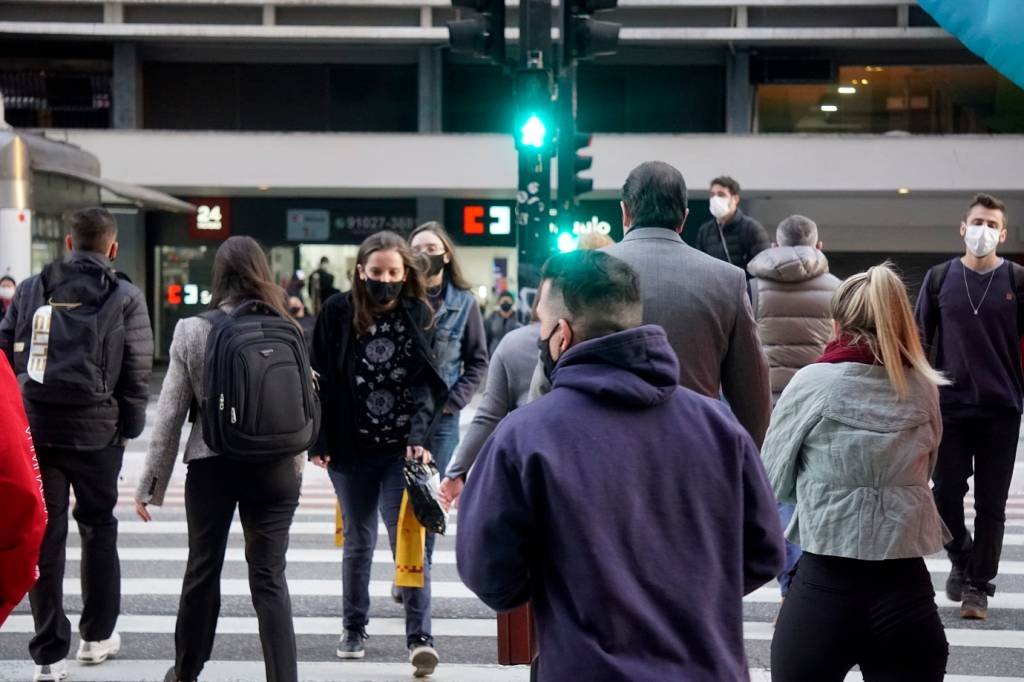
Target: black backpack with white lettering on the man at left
(76,336)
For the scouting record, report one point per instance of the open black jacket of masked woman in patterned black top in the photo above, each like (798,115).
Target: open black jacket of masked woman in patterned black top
(333,358)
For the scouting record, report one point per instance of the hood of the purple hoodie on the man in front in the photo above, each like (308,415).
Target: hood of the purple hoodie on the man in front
(635,368)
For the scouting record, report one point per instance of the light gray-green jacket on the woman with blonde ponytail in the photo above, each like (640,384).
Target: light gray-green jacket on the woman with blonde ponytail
(857,461)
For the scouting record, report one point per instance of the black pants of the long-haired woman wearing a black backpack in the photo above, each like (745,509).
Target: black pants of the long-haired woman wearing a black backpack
(267,496)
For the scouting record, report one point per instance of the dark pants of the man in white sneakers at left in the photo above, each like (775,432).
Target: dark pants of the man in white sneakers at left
(94,475)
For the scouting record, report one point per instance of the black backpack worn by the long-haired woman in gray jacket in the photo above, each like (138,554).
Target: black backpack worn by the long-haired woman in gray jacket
(262,403)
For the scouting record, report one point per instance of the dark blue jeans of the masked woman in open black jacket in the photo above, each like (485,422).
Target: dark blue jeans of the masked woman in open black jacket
(371,484)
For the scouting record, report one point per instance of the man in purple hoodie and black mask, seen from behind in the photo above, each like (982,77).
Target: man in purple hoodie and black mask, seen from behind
(633,513)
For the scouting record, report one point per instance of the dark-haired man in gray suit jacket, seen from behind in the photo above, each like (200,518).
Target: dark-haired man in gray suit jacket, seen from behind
(702,303)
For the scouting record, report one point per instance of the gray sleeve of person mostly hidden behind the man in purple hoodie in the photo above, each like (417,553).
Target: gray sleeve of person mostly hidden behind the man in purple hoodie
(508,385)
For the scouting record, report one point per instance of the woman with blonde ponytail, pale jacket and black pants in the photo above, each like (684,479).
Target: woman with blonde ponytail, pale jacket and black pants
(852,443)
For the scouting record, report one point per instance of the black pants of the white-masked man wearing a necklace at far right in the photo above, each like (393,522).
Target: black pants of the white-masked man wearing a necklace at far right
(987,447)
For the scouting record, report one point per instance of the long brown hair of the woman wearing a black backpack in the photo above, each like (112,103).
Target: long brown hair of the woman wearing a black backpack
(242,273)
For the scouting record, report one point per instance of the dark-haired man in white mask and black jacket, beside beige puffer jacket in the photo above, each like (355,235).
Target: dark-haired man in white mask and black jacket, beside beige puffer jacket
(731,236)
